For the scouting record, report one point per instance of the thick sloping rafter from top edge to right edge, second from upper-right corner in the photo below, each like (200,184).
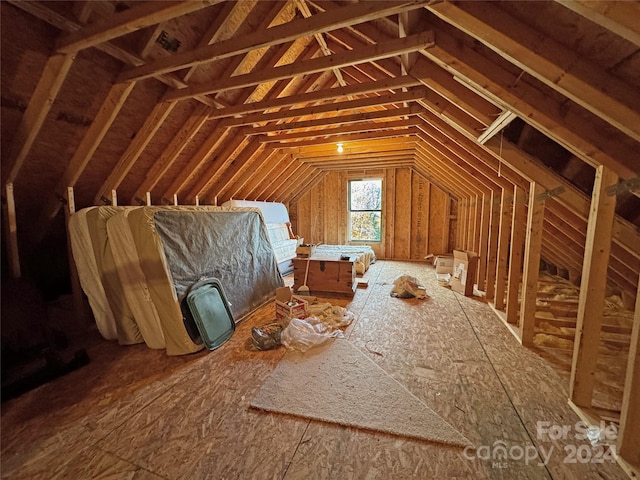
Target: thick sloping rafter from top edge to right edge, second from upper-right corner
(560,68)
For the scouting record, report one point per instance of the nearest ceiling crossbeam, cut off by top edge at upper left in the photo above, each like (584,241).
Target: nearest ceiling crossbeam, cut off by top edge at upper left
(139,16)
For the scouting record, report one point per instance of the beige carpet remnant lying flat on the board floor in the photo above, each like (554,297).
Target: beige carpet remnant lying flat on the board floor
(337,383)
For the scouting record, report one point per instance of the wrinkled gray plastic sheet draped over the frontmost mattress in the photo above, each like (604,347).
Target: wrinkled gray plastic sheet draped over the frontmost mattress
(233,247)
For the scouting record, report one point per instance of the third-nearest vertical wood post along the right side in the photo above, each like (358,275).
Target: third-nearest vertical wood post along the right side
(533,245)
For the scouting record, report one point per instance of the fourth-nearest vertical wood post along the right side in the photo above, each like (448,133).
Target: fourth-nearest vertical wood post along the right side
(518,229)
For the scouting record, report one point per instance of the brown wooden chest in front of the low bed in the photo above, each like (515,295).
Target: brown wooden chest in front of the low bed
(328,274)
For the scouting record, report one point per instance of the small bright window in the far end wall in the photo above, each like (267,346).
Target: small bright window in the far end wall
(365,210)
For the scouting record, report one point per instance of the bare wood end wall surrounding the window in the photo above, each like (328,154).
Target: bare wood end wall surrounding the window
(415,213)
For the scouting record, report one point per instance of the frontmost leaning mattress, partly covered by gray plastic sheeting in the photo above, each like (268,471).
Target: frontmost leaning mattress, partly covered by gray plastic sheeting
(177,247)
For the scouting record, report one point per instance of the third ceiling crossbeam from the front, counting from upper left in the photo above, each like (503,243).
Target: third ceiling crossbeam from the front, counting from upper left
(387,49)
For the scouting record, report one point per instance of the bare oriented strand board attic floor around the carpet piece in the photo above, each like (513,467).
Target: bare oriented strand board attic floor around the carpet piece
(135,413)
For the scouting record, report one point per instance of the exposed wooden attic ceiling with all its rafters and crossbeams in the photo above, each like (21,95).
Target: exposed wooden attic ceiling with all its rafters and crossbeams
(210,100)
